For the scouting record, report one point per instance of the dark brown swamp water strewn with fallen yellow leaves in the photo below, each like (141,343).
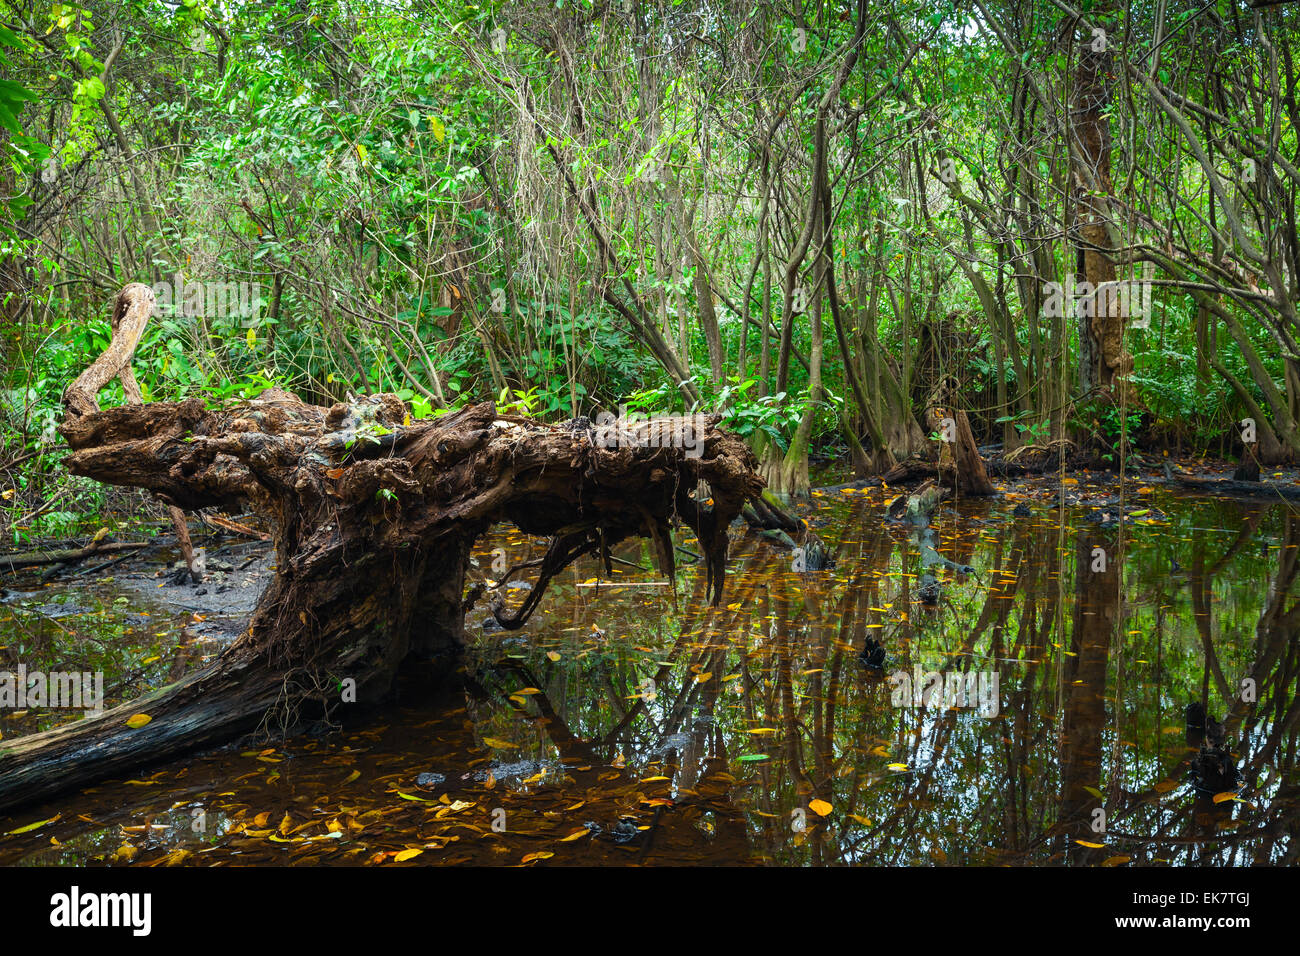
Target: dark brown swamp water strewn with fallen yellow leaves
(623,728)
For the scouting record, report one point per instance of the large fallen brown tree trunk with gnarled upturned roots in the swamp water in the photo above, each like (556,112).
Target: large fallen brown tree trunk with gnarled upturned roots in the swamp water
(374,520)
